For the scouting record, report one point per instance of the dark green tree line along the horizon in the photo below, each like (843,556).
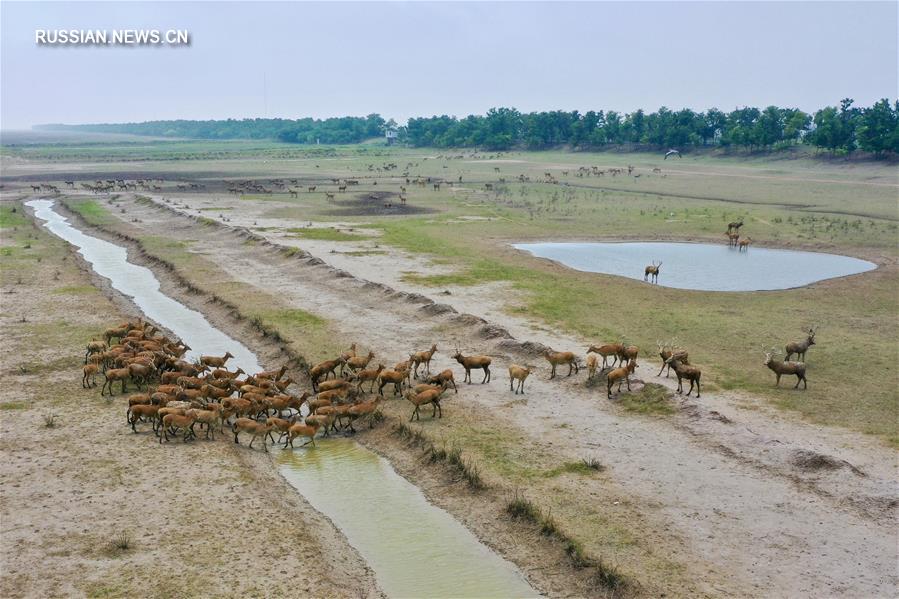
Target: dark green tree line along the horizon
(839,129)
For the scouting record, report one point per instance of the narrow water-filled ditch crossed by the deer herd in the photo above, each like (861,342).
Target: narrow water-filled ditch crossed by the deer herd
(415,548)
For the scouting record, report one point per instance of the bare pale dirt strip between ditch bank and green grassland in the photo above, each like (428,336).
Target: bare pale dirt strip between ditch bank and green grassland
(757,503)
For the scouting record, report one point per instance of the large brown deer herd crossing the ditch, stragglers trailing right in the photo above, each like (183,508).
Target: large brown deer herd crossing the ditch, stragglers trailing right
(175,397)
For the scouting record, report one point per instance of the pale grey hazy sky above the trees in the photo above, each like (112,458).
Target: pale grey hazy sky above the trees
(419,59)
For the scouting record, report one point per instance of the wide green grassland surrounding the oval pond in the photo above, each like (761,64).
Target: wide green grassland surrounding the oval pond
(799,202)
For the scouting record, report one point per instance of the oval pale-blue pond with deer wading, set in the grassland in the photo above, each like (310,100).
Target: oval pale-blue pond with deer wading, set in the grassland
(708,267)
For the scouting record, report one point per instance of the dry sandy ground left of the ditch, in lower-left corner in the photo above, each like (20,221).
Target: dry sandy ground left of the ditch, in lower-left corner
(203,519)
